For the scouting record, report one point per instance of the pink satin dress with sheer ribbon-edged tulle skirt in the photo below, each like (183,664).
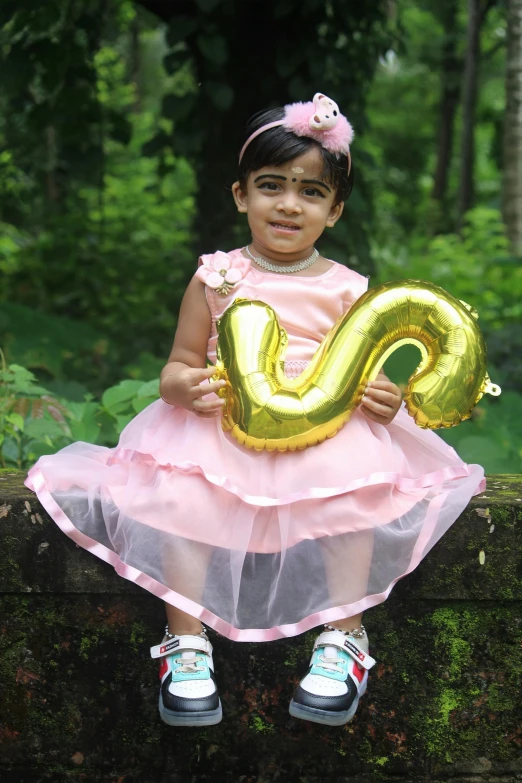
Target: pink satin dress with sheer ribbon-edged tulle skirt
(262,545)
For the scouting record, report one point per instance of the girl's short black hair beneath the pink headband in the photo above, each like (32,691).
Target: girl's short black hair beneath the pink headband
(277,145)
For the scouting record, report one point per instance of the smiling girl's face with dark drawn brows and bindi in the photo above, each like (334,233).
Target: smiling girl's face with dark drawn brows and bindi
(288,206)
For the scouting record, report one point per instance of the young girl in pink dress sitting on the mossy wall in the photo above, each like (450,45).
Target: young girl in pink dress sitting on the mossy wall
(264,545)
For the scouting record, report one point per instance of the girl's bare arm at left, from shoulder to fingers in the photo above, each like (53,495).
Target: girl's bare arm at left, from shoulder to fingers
(180,380)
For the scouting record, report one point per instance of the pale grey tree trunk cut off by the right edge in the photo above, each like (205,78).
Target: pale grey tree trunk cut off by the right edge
(512,182)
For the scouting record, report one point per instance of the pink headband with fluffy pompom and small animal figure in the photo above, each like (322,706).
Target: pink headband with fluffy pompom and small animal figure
(319,119)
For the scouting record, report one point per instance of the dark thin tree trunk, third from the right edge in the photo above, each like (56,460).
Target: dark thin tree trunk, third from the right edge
(450,79)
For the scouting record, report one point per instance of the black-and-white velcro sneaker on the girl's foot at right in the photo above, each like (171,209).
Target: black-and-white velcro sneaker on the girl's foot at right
(335,682)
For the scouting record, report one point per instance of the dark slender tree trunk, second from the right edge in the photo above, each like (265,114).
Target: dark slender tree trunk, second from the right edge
(469,102)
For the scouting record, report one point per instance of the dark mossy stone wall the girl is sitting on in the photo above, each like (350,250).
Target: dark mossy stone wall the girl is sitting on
(78,691)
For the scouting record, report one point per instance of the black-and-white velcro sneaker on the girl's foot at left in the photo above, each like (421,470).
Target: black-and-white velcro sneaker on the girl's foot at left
(188,693)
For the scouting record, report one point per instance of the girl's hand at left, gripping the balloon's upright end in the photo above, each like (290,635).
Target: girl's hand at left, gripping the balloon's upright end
(183,386)
